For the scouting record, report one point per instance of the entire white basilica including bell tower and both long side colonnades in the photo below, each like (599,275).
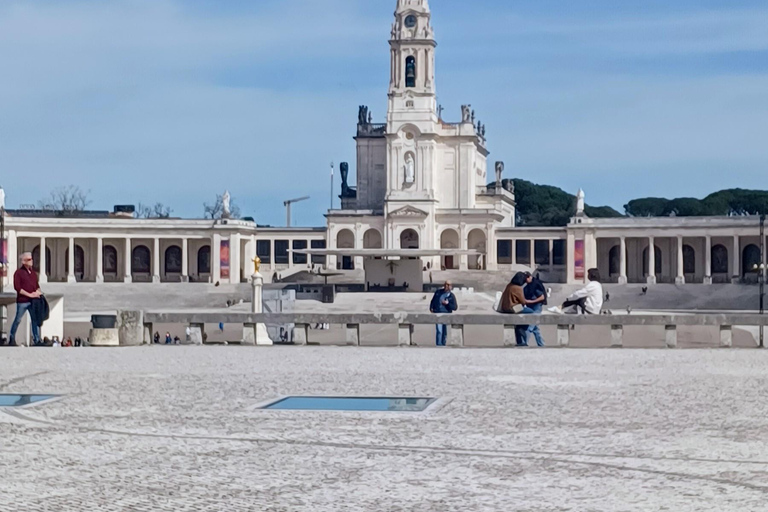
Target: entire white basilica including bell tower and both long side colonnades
(424,184)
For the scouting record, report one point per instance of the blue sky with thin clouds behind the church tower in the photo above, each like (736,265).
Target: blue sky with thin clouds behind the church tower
(177,100)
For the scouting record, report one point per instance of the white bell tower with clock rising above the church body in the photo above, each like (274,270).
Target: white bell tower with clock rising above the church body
(412,63)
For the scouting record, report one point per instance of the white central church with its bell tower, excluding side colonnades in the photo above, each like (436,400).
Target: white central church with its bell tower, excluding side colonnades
(421,181)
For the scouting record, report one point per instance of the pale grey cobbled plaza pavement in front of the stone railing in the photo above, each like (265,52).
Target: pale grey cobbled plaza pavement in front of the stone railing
(175,429)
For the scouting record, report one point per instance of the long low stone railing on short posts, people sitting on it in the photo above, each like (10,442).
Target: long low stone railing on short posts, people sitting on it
(136,327)
